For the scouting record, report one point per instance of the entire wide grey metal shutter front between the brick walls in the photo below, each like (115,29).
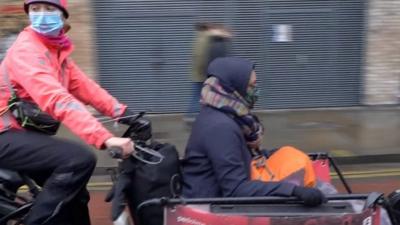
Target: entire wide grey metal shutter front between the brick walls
(144,49)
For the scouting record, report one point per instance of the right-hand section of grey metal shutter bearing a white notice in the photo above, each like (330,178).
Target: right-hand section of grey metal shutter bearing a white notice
(321,64)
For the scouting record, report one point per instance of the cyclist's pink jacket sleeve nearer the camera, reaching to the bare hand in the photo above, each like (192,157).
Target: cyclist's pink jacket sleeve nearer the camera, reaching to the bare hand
(33,72)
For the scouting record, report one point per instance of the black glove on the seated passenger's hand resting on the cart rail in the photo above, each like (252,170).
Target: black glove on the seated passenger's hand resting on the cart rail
(310,196)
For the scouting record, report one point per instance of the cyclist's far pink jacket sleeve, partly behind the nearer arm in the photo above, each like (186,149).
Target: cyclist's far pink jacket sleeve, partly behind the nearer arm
(90,93)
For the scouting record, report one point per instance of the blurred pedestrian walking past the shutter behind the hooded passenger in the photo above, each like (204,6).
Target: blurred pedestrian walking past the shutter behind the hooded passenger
(212,41)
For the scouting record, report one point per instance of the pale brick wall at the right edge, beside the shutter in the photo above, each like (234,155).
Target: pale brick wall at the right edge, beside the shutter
(382,70)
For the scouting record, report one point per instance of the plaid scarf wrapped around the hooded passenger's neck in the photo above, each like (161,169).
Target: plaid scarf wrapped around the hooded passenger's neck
(233,104)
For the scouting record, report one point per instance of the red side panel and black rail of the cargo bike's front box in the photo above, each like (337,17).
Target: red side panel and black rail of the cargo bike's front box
(271,209)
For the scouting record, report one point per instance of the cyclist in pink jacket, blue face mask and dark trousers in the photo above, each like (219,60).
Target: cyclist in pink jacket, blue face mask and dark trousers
(38,69)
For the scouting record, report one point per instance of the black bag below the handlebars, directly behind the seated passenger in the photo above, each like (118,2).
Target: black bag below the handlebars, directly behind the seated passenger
(147,176)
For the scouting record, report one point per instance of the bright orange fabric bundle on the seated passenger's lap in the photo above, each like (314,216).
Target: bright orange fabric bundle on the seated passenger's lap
(288,164)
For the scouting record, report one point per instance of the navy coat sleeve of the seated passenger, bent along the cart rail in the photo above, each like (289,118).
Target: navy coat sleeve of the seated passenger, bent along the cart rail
(224,148)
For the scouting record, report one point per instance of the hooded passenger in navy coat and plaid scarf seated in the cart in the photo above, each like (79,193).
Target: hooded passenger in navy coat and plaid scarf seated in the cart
(217,158)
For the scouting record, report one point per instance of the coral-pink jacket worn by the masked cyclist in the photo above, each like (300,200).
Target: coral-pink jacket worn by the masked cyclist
(48,77)
